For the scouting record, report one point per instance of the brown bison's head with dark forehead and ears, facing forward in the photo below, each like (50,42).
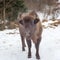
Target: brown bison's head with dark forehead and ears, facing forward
(29,22)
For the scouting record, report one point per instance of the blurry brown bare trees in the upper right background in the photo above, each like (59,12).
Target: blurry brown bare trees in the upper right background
(47,7)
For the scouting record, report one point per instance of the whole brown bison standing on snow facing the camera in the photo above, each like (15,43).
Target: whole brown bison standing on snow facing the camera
(30,29)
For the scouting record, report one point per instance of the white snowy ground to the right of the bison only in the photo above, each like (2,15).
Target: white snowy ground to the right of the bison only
(50,45)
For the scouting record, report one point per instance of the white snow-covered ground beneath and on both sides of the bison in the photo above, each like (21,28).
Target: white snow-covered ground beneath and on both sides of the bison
(10,45)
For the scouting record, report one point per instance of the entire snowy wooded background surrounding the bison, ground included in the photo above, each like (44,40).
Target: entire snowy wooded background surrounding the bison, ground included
(48,12)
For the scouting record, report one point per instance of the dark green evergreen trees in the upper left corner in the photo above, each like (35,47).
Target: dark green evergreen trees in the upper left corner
(10,8)
